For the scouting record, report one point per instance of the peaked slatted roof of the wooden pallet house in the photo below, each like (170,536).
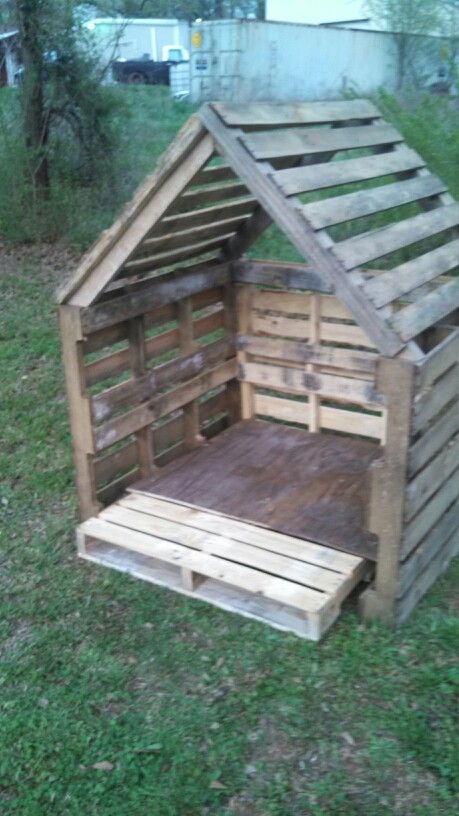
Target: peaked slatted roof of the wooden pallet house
(196,209)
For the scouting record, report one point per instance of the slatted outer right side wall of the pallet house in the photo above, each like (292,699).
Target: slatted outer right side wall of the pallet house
(431,512)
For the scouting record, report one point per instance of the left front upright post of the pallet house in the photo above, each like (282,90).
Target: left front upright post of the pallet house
(79,410)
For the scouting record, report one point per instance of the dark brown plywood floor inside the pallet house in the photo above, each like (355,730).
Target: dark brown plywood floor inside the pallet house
(313,486)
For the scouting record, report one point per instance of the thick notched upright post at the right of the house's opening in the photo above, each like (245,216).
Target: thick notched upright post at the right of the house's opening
(394,379)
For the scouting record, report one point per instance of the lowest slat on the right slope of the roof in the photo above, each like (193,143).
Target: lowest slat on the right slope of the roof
(416,317)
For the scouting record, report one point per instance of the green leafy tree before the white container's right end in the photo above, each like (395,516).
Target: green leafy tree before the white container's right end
(407,20)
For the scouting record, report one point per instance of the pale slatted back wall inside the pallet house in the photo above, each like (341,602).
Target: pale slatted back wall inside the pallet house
(304,361)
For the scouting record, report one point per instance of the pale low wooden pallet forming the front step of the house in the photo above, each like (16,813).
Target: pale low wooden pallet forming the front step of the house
(287,582)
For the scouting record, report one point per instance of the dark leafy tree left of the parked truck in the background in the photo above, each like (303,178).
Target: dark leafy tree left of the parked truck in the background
(61,93)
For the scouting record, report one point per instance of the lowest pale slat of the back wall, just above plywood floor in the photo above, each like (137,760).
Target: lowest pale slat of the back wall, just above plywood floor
(335,419)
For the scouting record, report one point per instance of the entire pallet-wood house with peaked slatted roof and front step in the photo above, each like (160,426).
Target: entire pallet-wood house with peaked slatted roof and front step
(267,435)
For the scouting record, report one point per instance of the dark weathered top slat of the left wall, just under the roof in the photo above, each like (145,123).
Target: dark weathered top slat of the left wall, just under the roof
(165,289)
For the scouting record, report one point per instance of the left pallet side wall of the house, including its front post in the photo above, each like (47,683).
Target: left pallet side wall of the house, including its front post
(149,375)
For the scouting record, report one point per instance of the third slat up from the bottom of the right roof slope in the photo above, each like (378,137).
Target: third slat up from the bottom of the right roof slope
(364,248)
